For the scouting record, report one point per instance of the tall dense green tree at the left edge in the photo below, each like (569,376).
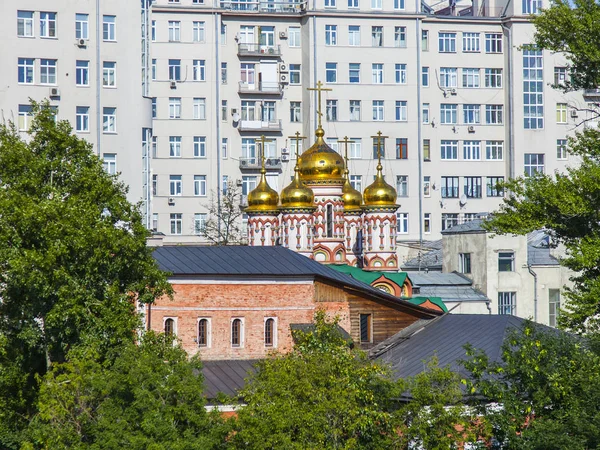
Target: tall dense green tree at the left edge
(73,260)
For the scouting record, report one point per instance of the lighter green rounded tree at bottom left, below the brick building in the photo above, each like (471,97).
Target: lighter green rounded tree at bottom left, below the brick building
(151,397)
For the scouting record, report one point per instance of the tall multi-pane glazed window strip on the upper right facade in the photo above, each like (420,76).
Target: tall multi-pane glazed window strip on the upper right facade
(533,89)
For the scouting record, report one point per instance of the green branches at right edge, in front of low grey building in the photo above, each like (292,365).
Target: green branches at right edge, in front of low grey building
(568,206)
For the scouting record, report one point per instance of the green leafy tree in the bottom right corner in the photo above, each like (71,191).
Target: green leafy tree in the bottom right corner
(545,390)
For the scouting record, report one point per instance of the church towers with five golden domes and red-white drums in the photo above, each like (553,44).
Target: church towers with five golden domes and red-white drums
(321,216)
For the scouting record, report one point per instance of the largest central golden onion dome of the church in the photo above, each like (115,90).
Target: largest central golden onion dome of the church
(320,163)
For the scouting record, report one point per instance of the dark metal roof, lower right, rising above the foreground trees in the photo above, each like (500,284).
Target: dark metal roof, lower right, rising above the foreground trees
(409,350)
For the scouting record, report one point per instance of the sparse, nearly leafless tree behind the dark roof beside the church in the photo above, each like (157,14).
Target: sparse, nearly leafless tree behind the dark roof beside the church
(224,225)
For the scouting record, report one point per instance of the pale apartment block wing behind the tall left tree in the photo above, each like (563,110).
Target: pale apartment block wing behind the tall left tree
(85,57)
